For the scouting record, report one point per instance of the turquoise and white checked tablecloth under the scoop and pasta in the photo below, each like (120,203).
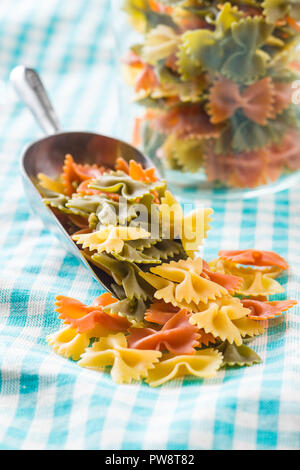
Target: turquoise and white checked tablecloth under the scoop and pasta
(47,402)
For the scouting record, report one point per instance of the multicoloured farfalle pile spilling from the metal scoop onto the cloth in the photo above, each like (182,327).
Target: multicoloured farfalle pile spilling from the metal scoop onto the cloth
(169,313)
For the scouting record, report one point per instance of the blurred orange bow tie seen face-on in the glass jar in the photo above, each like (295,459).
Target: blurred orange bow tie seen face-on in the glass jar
(256,100)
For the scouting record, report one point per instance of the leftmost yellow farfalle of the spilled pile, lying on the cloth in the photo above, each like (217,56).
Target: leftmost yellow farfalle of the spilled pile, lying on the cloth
(68,343)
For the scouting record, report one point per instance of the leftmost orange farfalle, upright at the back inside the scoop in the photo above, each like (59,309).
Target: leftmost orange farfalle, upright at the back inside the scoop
(76,173)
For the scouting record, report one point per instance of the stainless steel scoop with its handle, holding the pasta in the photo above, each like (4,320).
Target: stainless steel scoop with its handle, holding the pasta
(47,156)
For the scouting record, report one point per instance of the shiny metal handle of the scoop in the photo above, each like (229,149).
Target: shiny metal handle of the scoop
(31,90)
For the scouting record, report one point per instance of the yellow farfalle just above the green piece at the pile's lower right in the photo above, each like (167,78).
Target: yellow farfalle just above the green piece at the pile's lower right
(219,318)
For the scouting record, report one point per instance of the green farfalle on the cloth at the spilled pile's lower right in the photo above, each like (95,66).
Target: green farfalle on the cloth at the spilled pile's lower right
(234,355)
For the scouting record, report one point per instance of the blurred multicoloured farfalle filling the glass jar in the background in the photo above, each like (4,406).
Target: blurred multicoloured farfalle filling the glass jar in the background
(217,79)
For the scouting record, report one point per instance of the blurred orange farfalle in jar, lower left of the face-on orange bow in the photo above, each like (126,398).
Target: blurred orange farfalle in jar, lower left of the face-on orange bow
(186,121)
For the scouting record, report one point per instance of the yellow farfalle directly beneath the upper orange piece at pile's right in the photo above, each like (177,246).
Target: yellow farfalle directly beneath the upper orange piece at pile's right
(256,281)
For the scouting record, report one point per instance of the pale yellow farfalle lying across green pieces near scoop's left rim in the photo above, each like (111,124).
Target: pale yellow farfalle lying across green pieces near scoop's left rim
(110,238)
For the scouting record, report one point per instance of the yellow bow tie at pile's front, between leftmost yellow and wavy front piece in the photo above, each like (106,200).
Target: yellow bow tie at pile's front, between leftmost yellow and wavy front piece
(127,364)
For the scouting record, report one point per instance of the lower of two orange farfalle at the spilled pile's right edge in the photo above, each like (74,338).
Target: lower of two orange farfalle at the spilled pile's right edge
(267,310)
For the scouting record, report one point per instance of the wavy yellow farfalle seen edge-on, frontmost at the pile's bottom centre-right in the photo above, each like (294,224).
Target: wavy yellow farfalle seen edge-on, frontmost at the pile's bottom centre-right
(203,364)
